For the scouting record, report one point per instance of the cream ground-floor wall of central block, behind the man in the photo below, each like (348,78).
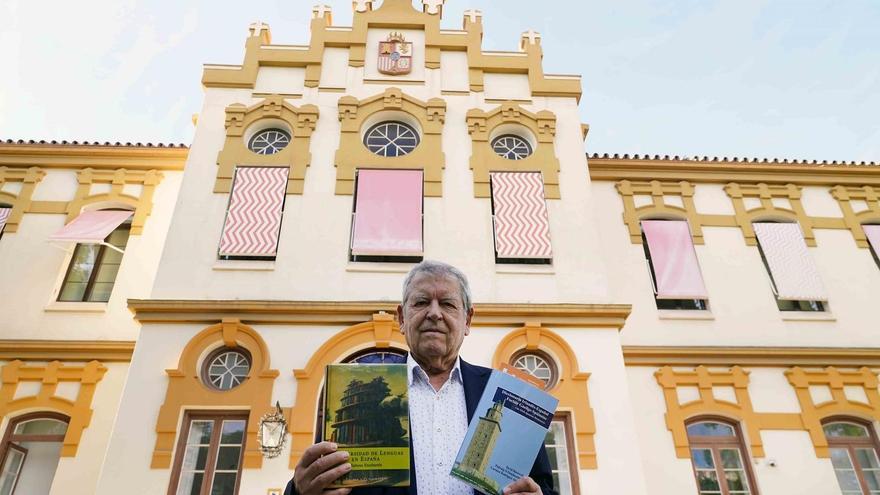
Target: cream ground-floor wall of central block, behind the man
(128,456)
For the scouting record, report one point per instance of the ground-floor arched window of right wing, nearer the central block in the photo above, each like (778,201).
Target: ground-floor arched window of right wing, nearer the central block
(721,463)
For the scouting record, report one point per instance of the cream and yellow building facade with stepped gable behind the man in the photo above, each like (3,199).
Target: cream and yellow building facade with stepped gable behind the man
(705,323)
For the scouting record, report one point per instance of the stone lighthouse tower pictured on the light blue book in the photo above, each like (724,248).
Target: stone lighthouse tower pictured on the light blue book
(476,458)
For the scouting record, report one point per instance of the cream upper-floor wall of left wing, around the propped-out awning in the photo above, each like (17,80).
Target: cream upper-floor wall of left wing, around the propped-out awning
(36,269)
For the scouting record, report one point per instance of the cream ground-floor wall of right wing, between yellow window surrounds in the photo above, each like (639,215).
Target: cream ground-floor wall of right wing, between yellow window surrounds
(797,469)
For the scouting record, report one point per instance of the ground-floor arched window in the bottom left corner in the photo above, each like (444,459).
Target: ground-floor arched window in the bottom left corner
(31,452)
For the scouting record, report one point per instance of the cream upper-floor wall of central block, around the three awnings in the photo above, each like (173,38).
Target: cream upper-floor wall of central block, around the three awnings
(316,224)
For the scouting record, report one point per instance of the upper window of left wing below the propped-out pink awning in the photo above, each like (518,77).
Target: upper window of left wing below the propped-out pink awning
(93,267)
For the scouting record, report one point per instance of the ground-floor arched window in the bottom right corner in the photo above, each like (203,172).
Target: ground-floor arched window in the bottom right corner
(854,455)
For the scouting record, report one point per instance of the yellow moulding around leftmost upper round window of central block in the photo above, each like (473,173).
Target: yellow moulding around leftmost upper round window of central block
(296,156)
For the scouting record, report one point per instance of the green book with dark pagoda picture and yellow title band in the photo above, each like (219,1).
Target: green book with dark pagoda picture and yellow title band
(366,413)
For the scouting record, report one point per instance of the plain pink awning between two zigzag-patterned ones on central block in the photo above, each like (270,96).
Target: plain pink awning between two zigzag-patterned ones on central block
(388,213)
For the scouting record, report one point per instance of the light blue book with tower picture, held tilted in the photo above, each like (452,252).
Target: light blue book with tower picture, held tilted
(505,435)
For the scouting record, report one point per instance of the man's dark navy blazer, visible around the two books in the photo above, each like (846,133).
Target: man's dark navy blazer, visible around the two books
(474,379)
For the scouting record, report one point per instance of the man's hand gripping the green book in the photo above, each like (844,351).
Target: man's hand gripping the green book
(320,465)
